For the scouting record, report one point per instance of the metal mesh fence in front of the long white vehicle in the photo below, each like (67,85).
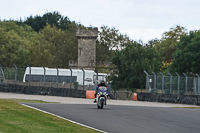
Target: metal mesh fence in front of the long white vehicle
(18,76)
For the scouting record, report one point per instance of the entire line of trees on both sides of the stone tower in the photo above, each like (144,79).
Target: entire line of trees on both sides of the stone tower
(50,41)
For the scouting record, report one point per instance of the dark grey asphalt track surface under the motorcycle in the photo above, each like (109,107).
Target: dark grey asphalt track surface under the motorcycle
(128,119)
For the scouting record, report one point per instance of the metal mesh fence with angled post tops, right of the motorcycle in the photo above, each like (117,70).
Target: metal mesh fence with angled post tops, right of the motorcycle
(180,84)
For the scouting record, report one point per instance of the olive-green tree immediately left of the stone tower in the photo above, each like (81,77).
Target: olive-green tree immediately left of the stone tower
(54,48)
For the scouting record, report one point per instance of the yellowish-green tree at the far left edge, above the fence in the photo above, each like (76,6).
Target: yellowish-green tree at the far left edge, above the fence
(15,43)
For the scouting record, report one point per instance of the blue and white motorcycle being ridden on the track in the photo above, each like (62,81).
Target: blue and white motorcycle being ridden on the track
(101,97)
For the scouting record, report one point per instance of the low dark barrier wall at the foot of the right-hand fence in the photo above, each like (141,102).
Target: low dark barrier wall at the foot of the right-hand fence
(169,98)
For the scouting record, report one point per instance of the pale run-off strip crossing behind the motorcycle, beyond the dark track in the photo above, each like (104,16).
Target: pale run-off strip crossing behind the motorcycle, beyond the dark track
(70,100)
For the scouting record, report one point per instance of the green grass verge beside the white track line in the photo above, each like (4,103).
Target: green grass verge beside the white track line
(16,118)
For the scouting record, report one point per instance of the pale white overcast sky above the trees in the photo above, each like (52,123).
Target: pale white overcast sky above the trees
(139,19)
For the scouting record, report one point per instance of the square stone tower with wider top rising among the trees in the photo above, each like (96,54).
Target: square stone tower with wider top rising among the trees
(87,47)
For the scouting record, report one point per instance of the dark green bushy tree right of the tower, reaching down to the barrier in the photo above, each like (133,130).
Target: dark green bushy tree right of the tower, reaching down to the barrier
(130,65)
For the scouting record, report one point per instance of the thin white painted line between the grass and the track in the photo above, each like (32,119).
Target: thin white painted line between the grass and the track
(63,118)
